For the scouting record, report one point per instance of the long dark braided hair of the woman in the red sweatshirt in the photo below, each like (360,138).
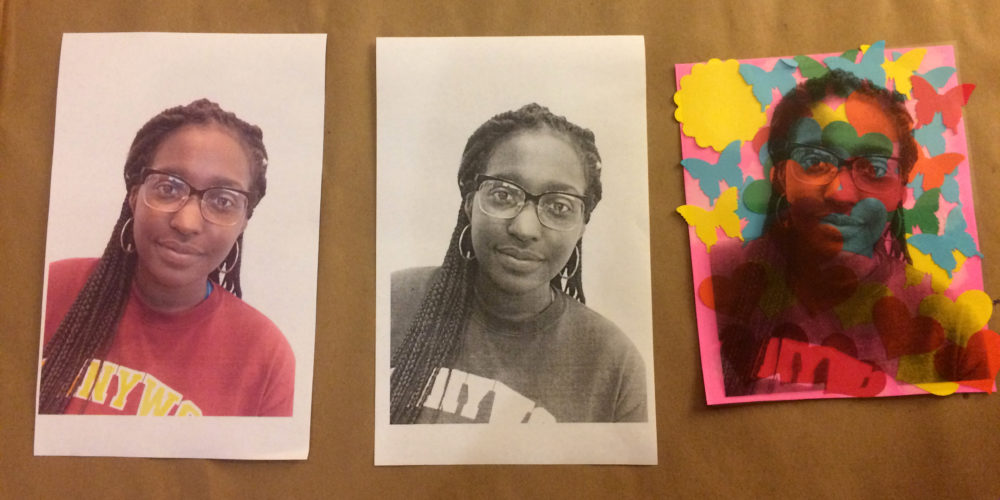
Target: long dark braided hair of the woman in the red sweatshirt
(91,322)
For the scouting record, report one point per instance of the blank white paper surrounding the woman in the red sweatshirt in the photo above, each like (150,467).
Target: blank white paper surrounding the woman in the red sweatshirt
(110,84)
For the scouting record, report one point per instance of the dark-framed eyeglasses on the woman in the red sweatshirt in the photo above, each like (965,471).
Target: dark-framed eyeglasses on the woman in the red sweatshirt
(168,193)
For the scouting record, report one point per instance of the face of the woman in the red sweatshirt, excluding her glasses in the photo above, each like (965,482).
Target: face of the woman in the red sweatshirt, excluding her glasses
(177,250)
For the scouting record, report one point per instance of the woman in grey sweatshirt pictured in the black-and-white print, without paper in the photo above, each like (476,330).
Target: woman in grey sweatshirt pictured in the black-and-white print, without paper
(500,333)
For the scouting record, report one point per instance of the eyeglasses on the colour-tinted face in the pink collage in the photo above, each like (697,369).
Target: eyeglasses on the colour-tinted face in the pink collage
(872,173)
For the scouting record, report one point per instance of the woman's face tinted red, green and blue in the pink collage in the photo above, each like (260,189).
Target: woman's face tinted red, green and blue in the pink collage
(838,212)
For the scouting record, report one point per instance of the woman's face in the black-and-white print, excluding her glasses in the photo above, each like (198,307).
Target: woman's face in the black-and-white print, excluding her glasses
(520,255)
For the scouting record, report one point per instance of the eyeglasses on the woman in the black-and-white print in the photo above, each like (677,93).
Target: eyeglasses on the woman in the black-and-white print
(504,199)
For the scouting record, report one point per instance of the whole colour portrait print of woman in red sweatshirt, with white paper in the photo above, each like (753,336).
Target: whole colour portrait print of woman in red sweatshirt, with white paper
(182,245)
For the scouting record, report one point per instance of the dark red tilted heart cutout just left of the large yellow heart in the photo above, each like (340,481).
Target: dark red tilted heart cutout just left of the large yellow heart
(903,334)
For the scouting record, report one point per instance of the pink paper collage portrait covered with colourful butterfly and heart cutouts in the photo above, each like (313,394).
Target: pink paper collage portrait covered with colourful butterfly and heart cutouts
(832,227)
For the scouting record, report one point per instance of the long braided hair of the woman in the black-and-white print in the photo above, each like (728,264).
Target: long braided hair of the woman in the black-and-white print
(435,333)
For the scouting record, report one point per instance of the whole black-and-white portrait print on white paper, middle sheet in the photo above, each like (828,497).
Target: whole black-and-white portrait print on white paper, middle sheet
(513,311)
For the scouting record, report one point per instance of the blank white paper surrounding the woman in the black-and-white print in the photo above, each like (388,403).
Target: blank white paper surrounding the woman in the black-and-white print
(432,94)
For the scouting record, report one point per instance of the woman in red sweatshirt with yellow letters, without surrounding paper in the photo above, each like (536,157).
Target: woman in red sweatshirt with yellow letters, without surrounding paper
(155,326)
